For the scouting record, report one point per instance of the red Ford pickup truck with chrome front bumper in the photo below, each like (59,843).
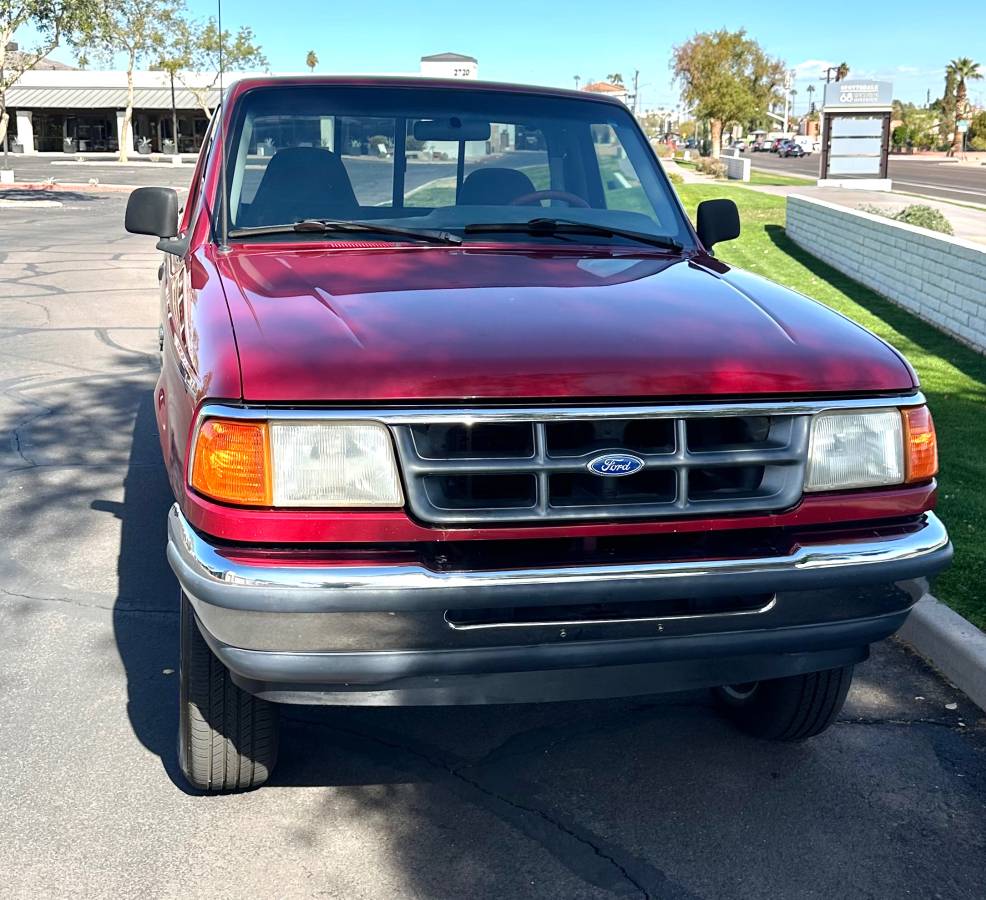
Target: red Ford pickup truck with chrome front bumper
(458,407)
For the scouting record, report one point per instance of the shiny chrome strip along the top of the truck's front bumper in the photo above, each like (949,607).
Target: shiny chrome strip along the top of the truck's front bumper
(197,556)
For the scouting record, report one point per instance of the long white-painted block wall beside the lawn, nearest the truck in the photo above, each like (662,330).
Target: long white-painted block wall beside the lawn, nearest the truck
(938,278)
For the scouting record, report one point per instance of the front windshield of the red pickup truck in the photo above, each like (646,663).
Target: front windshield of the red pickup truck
(443,159)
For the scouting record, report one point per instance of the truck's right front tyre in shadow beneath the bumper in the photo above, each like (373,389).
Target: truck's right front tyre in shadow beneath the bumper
(786,709)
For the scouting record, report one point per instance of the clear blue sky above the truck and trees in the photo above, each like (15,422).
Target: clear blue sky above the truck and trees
(547,42)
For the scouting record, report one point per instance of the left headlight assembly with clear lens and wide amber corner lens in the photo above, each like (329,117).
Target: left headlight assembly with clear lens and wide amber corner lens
(309,464)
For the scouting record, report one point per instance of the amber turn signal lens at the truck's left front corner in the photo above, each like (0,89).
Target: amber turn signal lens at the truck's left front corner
(231,462)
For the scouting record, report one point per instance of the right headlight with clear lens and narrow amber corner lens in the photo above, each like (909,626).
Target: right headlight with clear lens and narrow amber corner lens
(870,448)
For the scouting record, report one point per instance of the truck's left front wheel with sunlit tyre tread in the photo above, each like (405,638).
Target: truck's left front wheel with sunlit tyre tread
(227,738)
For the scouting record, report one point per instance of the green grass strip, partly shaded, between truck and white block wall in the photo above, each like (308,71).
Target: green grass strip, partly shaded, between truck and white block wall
(953,377)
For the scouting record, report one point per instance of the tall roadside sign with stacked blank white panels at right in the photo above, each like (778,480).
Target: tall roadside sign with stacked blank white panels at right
(856,134)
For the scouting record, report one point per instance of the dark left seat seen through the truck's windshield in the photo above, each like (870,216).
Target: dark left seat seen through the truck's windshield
(303,183)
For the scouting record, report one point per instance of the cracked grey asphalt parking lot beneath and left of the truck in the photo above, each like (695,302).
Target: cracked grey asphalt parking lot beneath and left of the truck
(652,797)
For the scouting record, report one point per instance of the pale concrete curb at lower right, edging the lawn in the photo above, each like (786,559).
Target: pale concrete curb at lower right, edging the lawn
(951,643)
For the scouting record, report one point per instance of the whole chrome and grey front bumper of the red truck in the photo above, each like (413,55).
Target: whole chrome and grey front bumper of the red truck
(342,626)
